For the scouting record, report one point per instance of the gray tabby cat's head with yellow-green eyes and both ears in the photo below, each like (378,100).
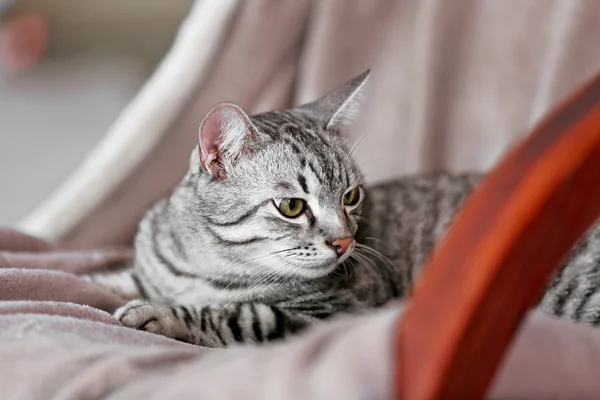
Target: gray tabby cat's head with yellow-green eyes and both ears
(281,189)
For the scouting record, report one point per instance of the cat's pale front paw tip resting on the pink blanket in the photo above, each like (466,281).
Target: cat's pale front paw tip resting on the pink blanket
(153,318)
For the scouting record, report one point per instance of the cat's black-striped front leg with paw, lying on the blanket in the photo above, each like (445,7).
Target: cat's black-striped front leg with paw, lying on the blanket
(213,326)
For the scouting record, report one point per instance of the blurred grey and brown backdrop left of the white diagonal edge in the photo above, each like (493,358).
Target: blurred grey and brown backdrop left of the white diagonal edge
(52,112)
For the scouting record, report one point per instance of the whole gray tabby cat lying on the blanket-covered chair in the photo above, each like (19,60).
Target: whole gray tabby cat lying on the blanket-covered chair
(261,237)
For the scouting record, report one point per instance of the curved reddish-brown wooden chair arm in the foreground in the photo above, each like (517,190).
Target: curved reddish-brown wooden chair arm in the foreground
(501,251)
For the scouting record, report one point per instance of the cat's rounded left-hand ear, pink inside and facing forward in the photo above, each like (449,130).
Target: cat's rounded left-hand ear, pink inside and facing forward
(224,136)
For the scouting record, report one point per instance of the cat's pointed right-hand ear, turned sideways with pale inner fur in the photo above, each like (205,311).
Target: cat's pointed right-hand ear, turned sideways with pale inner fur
(342,106)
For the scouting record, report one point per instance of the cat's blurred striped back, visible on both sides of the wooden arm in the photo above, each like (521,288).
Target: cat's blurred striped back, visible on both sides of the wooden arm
(405,218)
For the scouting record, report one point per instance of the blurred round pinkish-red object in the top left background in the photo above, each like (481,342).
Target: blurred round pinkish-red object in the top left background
(23,42)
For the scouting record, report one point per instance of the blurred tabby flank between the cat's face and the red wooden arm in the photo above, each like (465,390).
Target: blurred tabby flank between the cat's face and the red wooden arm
(402,219)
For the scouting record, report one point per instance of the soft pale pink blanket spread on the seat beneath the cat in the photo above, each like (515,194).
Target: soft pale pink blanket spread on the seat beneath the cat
(58,340)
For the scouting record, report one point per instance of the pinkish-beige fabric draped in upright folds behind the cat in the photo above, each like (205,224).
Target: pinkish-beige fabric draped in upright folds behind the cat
(454,83)
